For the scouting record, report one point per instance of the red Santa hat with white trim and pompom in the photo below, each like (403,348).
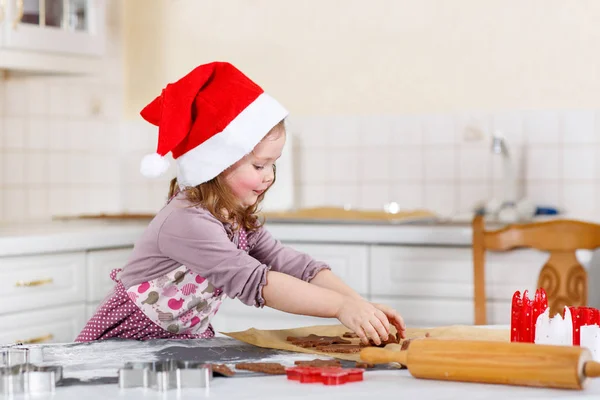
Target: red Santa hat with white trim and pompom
(209,119)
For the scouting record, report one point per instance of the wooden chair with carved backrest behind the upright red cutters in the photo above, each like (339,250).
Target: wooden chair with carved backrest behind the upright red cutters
(563,277)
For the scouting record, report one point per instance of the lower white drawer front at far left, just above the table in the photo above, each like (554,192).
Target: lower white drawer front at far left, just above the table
(52,325)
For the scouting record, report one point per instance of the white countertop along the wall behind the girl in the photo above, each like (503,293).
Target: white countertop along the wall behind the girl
(77,235)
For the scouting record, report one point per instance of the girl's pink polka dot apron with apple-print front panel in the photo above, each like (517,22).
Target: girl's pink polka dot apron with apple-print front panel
(178,305)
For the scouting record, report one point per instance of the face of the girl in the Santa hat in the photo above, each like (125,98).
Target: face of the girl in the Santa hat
(253,174)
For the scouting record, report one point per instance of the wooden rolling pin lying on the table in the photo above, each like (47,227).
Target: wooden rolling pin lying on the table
(520,364)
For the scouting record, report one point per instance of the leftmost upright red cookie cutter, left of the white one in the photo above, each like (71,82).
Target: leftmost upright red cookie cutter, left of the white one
(525,312)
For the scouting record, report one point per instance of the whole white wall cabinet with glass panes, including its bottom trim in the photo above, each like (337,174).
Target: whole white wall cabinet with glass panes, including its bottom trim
(52,35)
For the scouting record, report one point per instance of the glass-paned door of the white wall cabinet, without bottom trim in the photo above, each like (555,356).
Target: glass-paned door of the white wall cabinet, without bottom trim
(56,26)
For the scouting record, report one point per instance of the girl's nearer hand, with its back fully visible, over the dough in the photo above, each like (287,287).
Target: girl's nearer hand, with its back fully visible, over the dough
(366,320)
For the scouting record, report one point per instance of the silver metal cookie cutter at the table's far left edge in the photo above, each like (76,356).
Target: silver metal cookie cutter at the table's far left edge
(29,378)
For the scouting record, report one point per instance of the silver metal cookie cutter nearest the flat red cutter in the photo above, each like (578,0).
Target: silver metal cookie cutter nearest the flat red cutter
(165,375)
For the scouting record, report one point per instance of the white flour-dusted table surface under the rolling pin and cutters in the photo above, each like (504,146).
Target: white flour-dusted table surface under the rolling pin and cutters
(95,366)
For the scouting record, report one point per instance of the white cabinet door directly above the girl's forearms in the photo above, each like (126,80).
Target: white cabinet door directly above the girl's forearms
(349,262)
